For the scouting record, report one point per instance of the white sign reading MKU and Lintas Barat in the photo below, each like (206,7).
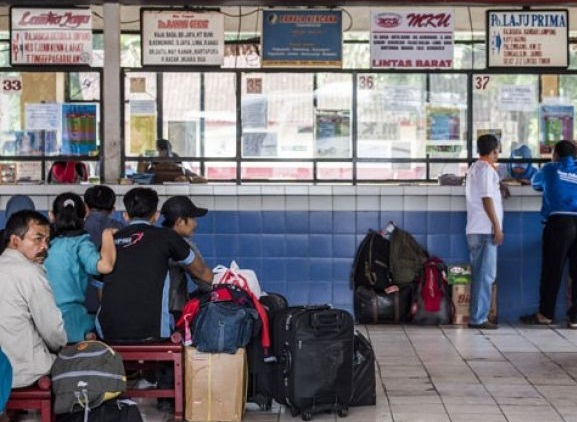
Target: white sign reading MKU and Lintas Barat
(412,39)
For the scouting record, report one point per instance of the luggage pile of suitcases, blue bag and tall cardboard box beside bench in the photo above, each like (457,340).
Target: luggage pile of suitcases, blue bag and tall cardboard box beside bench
(307,358)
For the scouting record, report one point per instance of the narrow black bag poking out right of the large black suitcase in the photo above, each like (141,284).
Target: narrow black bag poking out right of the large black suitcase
(364,379)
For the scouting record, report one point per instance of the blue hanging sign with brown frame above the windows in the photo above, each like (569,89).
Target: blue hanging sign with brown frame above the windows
(302,38)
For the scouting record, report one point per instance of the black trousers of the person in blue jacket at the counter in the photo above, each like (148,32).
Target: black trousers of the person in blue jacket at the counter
(559,246)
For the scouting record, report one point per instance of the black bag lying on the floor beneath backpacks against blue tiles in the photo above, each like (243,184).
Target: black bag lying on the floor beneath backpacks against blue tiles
(372,307)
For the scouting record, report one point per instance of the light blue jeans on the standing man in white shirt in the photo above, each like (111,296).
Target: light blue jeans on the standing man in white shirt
(483,257)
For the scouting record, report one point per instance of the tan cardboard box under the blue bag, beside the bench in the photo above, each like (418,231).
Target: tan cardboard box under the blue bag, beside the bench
(215,386)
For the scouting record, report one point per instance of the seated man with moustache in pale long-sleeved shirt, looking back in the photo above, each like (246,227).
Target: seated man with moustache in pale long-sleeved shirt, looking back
(31,326)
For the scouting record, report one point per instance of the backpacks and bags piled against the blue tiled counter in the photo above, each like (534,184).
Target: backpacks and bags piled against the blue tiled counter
(396,281)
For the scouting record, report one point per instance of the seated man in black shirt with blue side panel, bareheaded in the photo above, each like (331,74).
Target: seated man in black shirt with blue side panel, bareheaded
(135,296)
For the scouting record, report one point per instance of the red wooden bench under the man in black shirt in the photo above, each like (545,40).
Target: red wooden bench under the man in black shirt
(156,352)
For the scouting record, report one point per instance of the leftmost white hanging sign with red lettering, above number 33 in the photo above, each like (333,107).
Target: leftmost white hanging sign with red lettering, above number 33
(50,36)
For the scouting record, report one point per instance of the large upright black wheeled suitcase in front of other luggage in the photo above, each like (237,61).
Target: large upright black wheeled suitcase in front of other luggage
(314,347)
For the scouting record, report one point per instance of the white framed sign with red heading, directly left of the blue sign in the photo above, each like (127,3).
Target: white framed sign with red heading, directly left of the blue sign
(181,37)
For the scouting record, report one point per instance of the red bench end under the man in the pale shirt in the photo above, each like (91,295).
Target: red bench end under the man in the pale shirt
(37,396)
